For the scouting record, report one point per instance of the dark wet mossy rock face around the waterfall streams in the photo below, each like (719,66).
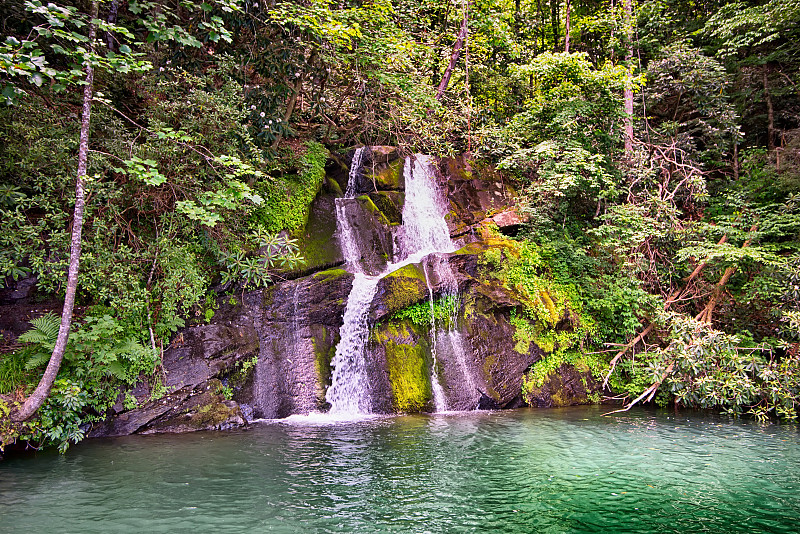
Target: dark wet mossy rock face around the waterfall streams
(267,354)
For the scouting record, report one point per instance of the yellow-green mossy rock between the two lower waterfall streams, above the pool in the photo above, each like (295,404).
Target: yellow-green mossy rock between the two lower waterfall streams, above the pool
(407,363)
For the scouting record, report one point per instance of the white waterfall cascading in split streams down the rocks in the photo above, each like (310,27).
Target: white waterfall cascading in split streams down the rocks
(423,232)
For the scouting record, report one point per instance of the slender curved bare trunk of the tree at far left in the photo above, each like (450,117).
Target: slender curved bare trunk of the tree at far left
(37,398)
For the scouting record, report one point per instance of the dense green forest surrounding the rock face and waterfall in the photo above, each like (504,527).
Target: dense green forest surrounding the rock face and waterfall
(156,155)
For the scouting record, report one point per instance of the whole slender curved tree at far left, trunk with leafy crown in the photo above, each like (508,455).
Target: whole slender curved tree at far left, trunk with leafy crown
(24,59)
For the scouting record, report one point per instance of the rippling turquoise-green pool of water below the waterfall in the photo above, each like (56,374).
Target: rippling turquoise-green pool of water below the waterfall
(563,470)
